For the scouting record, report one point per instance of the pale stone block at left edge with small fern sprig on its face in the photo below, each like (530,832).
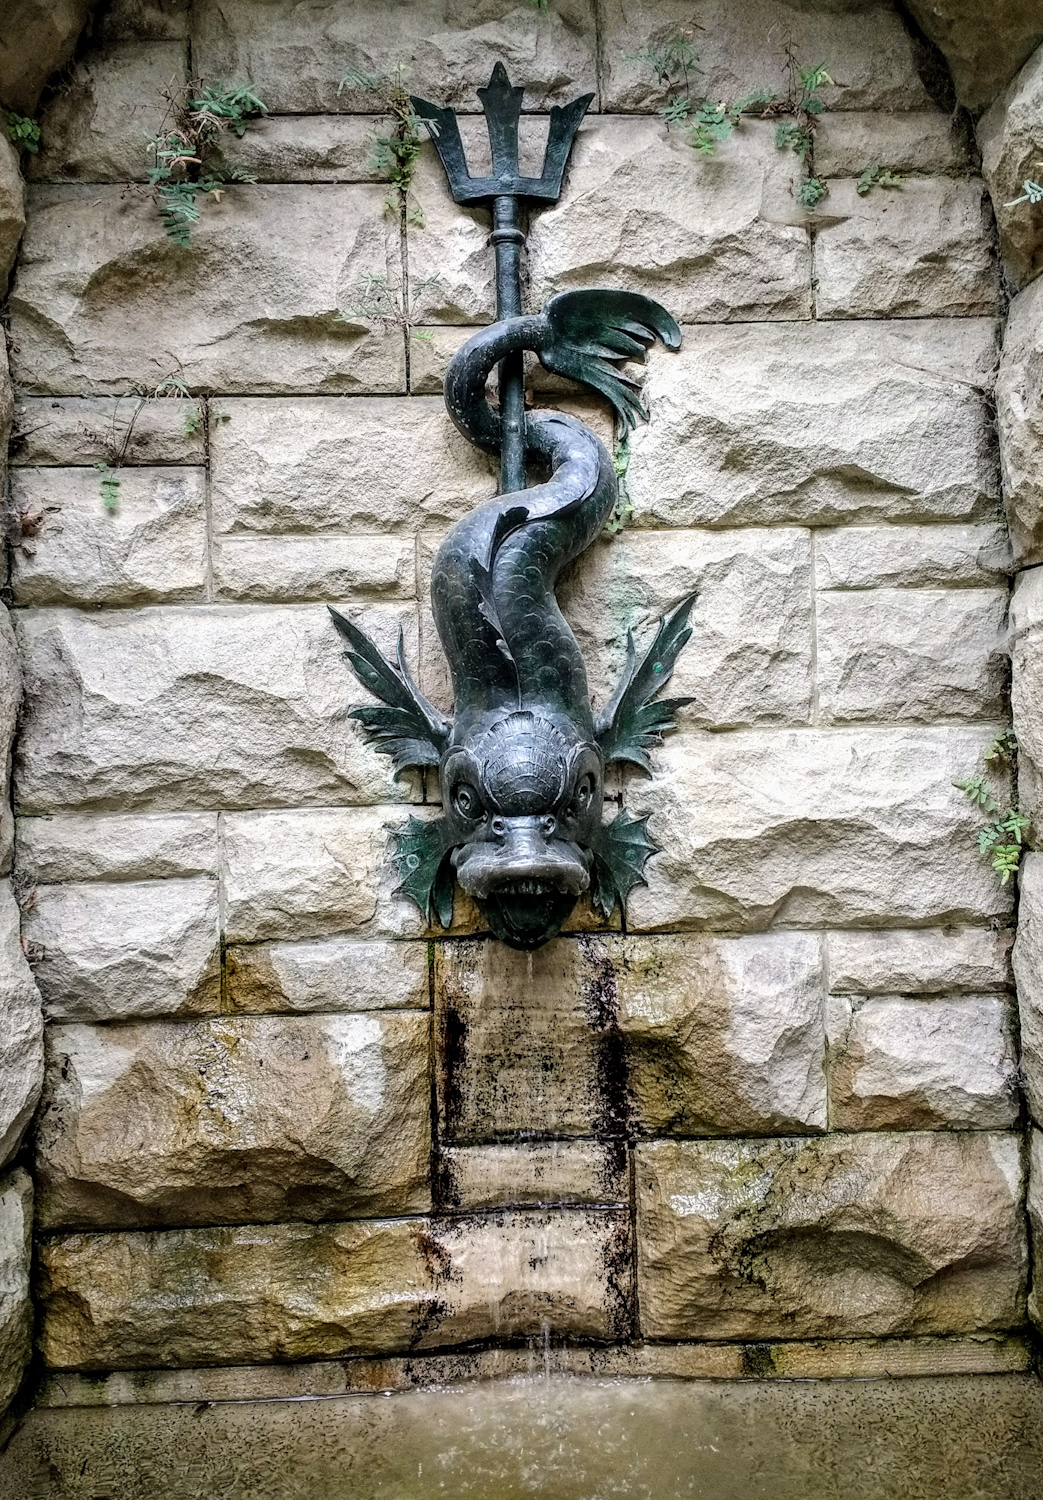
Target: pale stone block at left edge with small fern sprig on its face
(151,548)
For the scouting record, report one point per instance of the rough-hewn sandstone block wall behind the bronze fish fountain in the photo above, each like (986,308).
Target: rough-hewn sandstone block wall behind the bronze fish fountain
(281,1120)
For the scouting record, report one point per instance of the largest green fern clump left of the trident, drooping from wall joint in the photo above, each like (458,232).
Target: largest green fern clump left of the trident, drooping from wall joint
(185,161)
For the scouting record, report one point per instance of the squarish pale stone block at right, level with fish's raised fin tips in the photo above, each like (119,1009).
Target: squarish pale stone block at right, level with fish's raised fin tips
(913,656)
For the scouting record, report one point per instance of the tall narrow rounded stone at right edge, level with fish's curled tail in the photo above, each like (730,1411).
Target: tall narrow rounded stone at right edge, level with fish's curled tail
(1020,416)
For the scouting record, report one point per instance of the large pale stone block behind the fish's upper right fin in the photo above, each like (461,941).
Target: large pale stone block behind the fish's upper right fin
(750,659)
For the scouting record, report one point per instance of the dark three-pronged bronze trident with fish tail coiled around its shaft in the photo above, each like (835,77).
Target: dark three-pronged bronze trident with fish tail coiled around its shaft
(503,188)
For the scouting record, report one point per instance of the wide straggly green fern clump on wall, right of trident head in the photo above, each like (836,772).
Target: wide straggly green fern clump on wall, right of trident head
(709,122)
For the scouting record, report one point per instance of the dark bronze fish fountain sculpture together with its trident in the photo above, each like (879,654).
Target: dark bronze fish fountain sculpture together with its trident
(521,764)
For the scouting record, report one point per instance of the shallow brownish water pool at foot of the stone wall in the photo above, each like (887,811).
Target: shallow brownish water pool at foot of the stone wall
(556,1438)
